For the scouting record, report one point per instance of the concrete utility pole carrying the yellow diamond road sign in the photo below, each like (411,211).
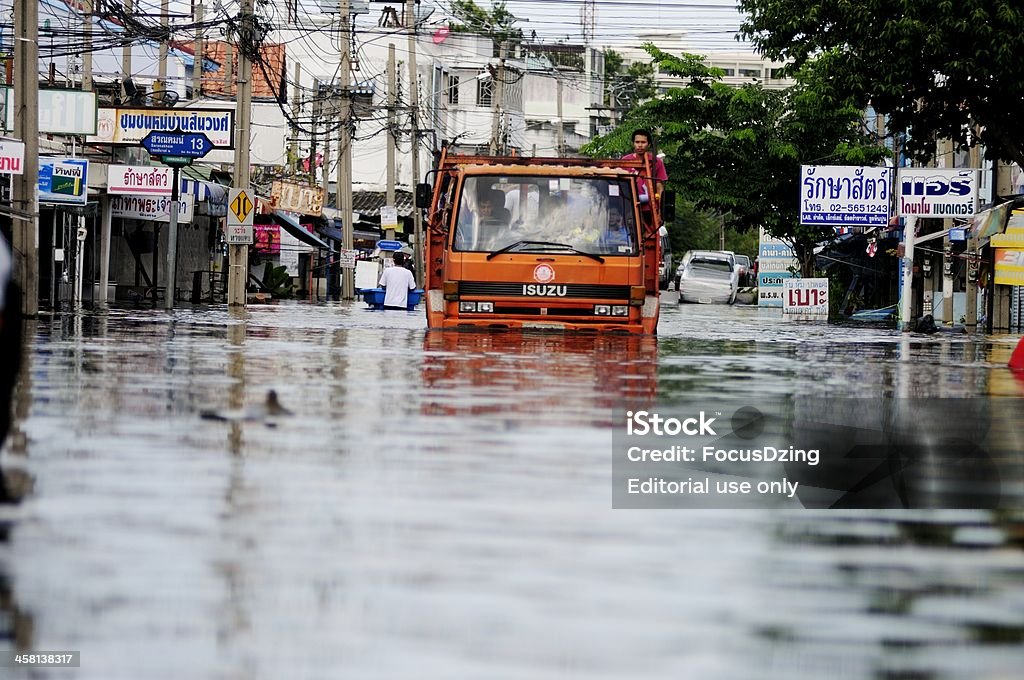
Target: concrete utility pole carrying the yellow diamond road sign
(238,256)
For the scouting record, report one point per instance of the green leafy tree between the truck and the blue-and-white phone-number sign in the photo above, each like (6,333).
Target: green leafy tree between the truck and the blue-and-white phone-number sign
(737,151)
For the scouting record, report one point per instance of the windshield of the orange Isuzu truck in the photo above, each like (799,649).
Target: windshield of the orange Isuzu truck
(590,216)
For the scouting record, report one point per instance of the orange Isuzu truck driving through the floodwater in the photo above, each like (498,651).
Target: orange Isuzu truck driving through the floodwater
(542,244)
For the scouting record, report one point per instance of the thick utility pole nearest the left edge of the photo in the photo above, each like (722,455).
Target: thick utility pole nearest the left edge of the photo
(24,188)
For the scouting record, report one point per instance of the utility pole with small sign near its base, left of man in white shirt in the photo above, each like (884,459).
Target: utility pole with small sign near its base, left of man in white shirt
(346,145)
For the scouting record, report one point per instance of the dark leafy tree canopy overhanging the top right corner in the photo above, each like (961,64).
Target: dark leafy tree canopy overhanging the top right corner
(940,70)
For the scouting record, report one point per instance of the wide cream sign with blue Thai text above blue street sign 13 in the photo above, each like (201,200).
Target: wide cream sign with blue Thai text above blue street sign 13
(131,126)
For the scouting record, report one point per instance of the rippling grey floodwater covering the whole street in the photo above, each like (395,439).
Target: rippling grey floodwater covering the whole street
(441,507)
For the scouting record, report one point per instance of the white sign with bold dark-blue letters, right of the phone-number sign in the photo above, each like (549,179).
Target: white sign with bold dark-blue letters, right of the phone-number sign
(938,192)
